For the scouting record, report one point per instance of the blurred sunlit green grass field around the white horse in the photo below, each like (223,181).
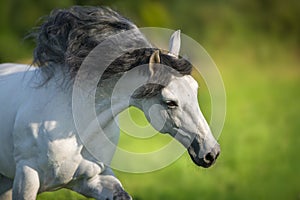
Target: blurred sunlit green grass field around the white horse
(260,141)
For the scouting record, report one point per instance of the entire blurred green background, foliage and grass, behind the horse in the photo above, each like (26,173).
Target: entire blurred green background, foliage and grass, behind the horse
(256,45)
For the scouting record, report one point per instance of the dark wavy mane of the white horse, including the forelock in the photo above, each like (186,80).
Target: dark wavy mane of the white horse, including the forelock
(67,36)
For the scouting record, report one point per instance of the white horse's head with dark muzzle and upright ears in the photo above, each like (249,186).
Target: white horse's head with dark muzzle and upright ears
(174,108)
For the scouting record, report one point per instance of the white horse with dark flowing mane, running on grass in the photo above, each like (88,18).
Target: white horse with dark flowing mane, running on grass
(40,149)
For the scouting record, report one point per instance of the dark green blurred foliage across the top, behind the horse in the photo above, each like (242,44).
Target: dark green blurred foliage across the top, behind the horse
(209,21)
